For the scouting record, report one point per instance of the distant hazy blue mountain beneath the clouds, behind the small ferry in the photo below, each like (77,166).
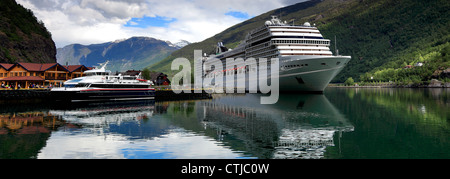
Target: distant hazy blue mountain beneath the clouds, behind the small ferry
(127,54)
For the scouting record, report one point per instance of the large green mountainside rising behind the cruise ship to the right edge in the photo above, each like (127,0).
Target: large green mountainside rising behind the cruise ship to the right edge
(377,34)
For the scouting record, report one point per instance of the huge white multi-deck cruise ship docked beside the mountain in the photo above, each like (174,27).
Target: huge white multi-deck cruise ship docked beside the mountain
(306,63)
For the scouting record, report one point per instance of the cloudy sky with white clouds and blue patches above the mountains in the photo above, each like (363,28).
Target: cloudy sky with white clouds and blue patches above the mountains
(98,21)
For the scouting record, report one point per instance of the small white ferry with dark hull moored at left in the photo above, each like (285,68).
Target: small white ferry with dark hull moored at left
(100,85)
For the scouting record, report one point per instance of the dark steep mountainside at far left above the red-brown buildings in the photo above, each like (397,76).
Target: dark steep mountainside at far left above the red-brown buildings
(23,38)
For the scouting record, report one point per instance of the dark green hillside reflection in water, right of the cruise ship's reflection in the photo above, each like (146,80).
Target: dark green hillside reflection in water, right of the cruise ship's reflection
(403,123)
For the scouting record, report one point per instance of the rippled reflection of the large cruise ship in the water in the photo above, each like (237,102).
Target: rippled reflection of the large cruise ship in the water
(298,126)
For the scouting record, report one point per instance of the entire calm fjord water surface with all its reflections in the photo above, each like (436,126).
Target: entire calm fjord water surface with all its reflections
(342,123)
